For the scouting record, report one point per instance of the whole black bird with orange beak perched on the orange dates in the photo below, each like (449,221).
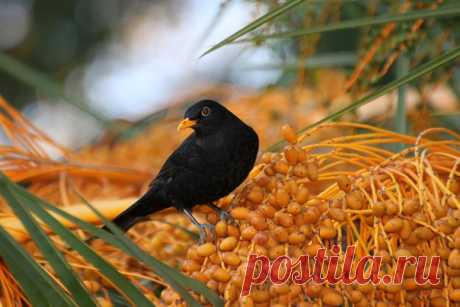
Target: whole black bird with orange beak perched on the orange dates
(208,165)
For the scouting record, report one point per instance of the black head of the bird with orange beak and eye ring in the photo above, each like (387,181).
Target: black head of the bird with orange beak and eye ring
(205,117)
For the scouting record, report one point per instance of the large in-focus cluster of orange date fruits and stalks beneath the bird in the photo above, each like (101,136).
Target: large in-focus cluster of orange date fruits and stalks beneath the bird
(344,191)
